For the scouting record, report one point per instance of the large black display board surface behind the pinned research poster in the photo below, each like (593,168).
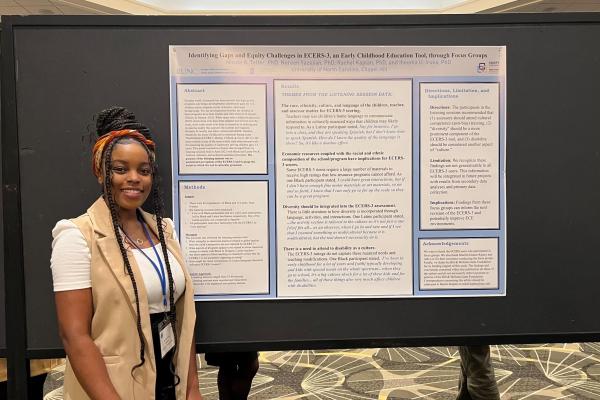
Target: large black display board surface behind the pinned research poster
(67,71)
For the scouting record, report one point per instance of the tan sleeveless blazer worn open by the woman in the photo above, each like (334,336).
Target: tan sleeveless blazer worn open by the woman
(113,326)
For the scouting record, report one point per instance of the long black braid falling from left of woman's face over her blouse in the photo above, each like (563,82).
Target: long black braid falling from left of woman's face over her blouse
(115,219)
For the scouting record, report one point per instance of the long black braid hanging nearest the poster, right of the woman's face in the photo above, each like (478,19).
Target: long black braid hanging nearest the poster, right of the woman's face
(158,212)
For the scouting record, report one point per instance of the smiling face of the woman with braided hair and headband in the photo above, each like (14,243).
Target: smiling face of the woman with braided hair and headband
(131,181)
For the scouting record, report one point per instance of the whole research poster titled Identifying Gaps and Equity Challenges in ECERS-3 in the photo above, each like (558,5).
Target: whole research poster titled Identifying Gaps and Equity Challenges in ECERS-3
(340,172)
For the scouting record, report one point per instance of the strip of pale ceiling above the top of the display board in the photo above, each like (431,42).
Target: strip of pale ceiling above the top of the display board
(164,7)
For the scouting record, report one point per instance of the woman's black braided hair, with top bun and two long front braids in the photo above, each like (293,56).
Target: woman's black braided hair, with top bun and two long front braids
(119,118)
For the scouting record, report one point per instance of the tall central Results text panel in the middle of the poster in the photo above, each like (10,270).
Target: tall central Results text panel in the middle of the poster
(343,187)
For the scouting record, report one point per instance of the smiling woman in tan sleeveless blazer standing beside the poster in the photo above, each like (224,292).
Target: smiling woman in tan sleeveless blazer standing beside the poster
(124,300)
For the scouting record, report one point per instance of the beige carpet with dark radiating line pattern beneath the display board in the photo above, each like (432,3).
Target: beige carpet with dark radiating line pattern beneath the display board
(532,372)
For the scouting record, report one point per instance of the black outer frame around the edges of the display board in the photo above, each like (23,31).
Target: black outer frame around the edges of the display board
(17,349)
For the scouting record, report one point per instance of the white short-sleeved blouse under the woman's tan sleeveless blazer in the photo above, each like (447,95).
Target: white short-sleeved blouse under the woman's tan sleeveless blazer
(71,265)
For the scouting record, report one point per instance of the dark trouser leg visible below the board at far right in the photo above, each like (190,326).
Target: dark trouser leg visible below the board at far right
(477,380)
